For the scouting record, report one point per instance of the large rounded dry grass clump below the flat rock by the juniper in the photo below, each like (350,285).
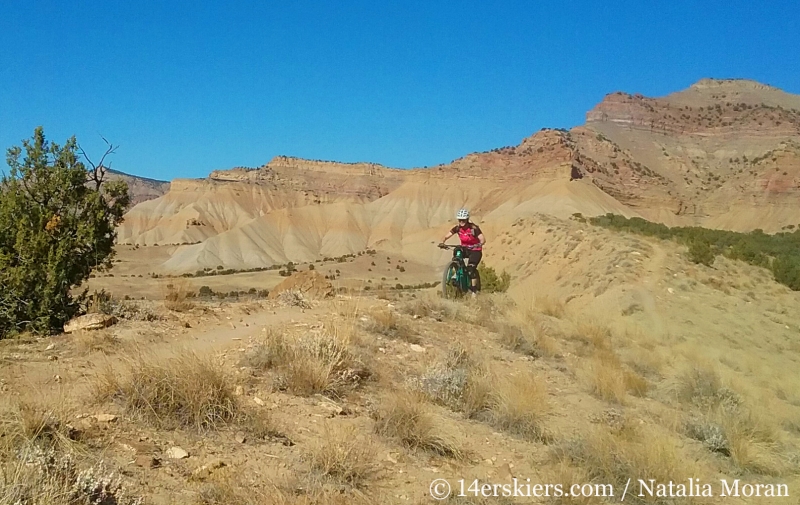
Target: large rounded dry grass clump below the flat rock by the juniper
(187,391)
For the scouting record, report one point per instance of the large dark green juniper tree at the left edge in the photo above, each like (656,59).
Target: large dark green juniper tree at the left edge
(57,226)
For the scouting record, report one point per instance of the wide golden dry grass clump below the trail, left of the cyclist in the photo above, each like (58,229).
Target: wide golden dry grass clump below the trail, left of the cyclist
(311,363)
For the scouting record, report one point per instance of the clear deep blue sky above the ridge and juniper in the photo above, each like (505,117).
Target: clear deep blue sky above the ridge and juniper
(188,87)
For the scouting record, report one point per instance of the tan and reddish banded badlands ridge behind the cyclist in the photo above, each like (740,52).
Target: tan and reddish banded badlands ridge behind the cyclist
(720,154)
